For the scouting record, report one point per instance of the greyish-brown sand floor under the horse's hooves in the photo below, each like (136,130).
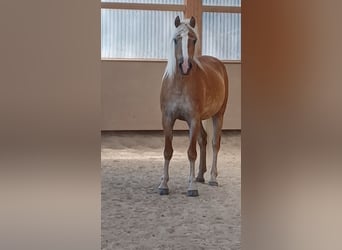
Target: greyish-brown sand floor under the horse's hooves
(135,216)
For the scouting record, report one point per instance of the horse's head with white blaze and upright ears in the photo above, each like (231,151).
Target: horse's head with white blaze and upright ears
(185,41)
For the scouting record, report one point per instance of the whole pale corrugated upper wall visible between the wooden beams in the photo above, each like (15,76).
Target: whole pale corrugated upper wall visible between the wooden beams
(146,34)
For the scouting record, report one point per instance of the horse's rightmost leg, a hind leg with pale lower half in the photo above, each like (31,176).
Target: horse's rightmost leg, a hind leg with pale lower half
(217,129)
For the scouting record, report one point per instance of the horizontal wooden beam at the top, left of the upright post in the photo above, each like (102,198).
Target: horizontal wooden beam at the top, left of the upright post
(143,6)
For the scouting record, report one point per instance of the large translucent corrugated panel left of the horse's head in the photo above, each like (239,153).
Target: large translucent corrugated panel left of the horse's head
(136,33)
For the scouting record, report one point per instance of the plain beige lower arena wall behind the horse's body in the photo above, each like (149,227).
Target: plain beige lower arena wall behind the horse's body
(130,96)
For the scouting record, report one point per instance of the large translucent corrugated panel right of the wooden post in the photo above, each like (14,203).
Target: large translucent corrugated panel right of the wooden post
(222,35)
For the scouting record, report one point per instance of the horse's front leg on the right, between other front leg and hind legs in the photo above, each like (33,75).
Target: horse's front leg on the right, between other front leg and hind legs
(192,155)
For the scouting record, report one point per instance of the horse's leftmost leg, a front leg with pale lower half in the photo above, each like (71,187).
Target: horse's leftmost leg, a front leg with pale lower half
(168,151)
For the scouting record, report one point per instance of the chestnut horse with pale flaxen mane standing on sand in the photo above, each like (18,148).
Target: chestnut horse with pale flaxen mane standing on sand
(194,89)
